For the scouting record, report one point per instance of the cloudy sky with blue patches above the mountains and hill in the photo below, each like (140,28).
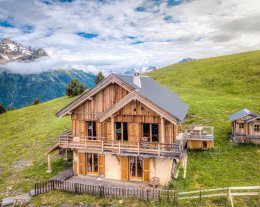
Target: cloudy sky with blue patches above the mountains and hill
(115,35)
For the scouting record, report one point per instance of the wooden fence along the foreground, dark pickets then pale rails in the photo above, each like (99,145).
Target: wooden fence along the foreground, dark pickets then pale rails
(145,193)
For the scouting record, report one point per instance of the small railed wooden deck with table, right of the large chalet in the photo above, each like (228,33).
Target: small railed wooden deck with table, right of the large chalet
(203,133)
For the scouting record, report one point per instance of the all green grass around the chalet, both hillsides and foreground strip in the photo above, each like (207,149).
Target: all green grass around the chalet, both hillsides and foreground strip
(213,88)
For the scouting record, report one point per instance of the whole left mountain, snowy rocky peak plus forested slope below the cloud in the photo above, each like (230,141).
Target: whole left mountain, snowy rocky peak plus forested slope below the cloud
(18,90)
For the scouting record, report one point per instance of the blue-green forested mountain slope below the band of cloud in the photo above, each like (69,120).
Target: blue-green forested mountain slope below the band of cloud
(18,90)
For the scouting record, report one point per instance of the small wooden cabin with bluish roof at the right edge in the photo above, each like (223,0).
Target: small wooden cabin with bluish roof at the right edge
(245,127)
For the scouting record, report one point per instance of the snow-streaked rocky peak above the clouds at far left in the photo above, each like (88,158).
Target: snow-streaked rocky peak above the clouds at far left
(13,51)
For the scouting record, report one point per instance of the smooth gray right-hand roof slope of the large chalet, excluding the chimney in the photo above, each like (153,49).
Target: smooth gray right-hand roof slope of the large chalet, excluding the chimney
(159,95)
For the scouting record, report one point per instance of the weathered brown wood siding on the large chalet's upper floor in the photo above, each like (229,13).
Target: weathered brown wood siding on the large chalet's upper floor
(135,114)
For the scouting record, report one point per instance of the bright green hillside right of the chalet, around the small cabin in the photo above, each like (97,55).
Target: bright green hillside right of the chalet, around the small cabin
(214,88)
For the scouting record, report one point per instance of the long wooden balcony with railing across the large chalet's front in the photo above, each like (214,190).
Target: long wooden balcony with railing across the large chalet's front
(103,145)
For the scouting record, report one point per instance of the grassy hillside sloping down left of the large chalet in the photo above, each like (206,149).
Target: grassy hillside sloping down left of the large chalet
(25,136)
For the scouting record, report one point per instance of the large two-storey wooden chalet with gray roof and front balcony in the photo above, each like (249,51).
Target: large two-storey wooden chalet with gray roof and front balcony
(125,128)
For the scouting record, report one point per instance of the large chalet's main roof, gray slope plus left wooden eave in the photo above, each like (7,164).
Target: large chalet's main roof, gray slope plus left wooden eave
(146,87)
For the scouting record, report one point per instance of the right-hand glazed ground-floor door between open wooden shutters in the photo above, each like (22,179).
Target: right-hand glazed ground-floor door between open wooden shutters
(136,168)
